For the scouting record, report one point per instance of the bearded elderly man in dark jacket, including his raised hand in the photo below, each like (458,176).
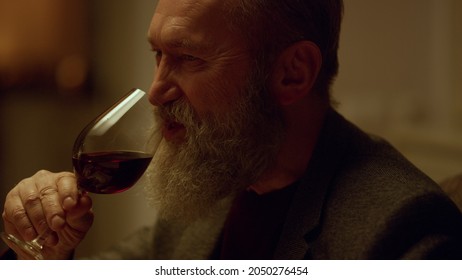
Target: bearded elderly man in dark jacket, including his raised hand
(255,162)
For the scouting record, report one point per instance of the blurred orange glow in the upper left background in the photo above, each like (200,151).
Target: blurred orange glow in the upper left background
(43,43)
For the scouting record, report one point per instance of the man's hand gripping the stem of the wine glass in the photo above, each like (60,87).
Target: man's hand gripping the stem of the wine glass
(49,200)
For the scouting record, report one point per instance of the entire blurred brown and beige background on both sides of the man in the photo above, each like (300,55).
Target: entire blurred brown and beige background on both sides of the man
(62,62)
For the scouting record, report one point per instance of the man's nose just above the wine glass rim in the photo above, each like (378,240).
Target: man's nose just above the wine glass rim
(164,89)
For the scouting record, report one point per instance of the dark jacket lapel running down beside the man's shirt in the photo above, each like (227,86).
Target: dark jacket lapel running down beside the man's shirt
(303,218)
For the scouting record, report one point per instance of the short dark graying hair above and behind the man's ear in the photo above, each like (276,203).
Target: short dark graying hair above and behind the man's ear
(272,25)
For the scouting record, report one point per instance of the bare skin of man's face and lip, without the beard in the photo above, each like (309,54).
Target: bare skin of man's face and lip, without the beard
(198,58)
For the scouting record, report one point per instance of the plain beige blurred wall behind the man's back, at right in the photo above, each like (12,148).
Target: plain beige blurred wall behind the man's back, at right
(400,77)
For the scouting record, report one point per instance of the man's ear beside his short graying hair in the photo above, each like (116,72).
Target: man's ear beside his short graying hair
(295,72)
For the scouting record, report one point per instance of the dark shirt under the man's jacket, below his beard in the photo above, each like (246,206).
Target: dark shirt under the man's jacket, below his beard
(253,226)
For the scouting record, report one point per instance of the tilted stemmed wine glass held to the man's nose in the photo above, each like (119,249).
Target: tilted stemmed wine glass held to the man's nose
(109,155)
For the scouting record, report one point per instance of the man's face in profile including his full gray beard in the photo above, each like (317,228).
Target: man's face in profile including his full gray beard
(221,129)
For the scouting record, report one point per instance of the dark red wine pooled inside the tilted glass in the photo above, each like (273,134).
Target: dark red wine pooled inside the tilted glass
(109,172)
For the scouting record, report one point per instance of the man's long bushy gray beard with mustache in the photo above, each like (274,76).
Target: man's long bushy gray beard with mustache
(221,155)
